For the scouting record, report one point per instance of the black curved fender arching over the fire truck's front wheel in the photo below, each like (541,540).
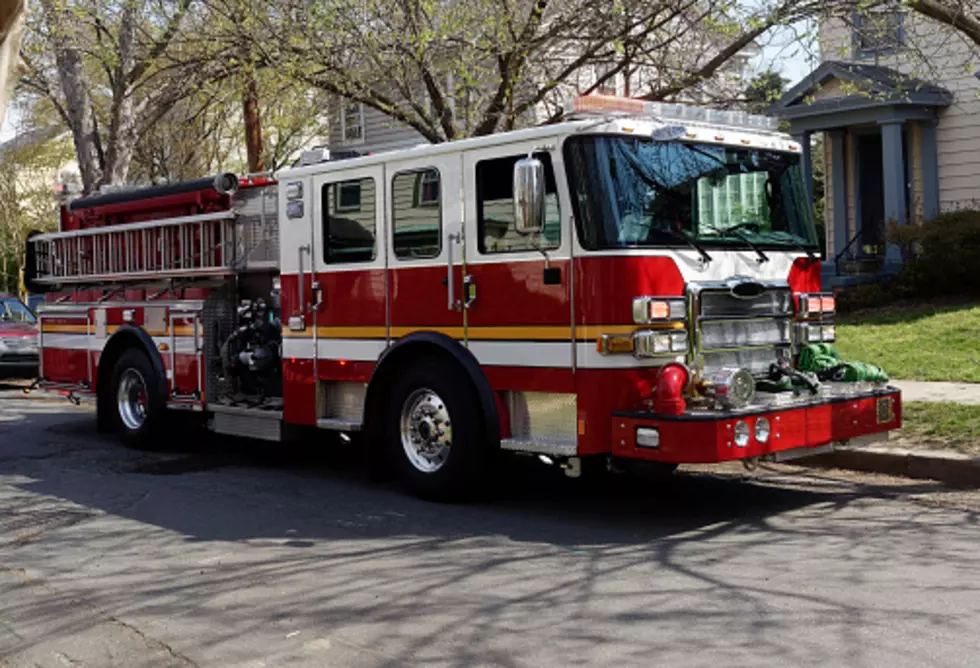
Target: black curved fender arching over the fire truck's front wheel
(445,344)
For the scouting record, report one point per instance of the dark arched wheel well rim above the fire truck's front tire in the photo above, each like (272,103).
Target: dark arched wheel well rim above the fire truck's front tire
(427,344)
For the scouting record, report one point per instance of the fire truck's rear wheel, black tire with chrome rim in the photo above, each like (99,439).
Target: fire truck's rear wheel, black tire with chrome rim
(136,405)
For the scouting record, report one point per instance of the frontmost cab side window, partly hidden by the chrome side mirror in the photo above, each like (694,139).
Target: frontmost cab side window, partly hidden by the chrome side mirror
(495,207)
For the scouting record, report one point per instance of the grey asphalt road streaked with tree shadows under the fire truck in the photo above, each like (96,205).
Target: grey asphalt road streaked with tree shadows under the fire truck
(226,554)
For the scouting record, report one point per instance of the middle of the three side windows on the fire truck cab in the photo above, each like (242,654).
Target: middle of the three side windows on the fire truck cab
(417,214)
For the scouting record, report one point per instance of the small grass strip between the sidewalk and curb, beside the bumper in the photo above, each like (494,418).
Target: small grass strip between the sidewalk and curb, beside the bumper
(951,426)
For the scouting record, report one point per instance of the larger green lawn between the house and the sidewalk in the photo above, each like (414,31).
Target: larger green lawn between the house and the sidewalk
(916,342)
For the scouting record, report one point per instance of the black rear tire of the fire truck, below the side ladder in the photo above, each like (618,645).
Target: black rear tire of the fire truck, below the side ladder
(148,433)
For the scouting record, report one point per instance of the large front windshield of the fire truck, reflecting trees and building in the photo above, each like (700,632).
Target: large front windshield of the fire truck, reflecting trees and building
(631,191)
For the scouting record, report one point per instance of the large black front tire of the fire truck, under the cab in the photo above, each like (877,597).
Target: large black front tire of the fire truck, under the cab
(466,466)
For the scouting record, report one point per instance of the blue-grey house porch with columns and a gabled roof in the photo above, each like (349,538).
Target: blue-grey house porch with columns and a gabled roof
(879,157)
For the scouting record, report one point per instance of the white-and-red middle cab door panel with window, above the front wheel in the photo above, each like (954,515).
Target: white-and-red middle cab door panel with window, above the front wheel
(425,254)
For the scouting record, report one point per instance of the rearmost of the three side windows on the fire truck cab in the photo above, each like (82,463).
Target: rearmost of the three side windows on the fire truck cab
(349,221)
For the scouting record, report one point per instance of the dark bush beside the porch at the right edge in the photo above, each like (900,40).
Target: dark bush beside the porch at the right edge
(942,255)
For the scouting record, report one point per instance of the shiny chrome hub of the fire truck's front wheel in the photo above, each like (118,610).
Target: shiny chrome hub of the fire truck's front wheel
(426,431)
